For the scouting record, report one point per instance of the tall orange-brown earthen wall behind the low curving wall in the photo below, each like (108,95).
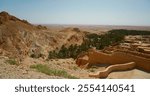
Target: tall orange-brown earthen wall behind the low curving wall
(97,57)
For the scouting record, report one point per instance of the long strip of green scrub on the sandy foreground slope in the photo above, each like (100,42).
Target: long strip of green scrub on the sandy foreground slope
(44,69)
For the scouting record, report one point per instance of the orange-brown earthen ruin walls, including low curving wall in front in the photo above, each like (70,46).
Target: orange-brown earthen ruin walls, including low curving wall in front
(118,61)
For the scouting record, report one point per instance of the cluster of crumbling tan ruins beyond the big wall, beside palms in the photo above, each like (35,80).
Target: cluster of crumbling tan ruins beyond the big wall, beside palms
(137,43)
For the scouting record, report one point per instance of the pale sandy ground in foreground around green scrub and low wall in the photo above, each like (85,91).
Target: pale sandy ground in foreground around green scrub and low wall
(23,71)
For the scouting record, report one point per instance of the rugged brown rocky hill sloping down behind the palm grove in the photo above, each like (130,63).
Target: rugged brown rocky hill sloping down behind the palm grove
(19,38)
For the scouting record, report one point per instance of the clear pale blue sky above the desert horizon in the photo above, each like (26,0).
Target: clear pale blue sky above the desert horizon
(90,12)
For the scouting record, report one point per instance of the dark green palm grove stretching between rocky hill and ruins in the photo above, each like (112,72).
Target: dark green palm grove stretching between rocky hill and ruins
(112,37)
